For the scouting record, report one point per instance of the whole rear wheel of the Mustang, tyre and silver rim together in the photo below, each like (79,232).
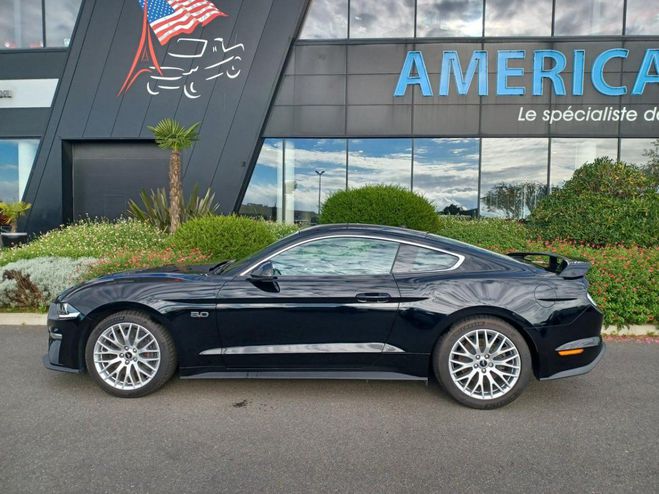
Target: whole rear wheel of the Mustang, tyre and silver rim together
(479,378)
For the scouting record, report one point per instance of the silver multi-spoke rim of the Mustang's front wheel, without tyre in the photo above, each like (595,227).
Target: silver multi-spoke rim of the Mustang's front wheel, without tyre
(126,356)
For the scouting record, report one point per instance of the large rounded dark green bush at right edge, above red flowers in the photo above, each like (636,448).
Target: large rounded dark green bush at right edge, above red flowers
(604,203)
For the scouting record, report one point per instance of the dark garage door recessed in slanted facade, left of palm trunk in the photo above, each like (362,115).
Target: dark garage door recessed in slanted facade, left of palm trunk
(106,175)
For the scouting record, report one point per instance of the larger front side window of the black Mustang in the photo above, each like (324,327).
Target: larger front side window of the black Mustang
(342,256)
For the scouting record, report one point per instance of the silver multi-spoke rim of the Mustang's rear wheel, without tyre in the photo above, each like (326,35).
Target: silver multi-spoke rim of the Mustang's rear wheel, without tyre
(484,364)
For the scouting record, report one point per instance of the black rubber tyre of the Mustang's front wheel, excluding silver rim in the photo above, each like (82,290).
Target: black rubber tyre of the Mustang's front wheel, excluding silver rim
(162,336)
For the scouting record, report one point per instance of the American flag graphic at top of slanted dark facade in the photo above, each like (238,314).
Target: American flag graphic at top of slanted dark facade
(169,18)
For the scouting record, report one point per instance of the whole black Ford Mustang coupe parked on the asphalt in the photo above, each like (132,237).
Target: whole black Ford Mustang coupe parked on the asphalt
(340,302)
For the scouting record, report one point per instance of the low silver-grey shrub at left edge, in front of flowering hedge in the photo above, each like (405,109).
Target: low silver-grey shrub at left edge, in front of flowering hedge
(36,282)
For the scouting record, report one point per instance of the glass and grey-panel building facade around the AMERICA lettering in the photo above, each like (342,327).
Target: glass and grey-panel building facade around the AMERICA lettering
(346,63)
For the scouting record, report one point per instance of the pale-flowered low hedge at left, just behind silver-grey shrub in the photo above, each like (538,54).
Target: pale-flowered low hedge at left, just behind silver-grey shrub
(89,239)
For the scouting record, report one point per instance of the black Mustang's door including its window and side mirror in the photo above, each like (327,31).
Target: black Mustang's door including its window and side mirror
(321,303)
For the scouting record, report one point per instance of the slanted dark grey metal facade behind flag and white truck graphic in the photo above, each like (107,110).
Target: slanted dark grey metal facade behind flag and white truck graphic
(232,112)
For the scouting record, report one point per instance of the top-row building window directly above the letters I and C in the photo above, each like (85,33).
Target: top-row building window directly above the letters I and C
(588,17)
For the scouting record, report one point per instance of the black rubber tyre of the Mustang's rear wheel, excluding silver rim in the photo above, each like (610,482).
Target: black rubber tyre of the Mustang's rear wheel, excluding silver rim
(443,349)
